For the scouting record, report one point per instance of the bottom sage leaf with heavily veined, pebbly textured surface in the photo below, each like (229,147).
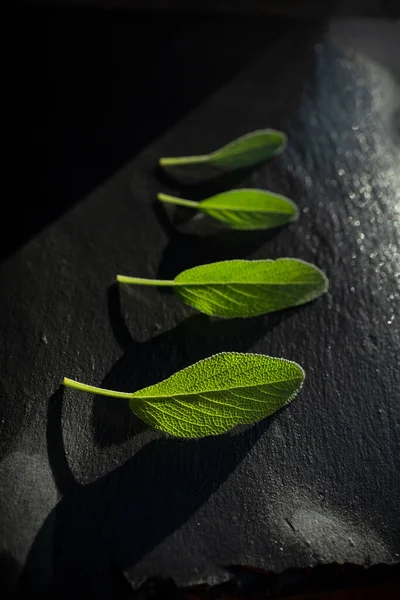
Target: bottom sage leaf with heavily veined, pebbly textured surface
(213,395)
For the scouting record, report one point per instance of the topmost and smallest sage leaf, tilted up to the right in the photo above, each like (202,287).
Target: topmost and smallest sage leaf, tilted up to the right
(247,150)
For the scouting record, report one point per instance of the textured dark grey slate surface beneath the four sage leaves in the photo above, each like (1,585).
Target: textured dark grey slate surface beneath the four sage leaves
(85,488)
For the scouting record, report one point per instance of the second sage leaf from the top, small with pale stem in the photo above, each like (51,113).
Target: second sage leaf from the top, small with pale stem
(243,209)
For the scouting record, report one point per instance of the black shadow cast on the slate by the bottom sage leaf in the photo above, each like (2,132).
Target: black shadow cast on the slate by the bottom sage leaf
(113,522)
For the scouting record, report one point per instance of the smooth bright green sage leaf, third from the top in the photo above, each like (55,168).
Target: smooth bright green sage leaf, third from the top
(244,288)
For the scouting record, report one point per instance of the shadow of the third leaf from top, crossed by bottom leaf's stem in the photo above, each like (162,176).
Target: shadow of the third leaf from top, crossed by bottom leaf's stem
(194,339)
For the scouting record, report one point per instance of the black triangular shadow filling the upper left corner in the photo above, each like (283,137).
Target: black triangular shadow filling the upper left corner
(92,87)
